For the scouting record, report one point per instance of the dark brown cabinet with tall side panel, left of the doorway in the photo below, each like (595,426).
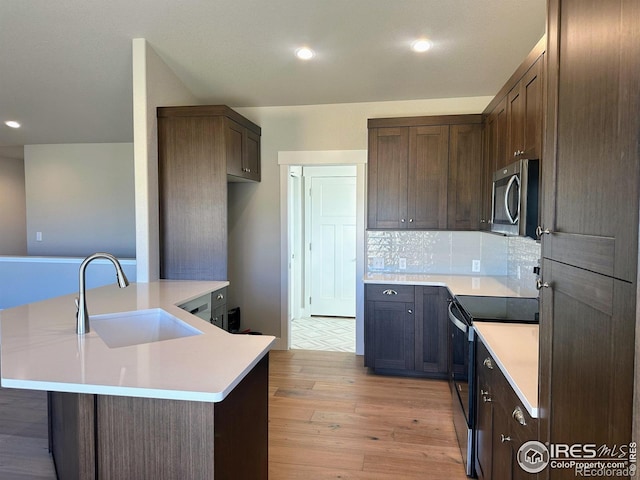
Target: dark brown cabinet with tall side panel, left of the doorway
(200,149)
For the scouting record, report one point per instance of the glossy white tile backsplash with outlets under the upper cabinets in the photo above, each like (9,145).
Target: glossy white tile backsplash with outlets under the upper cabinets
(451,252)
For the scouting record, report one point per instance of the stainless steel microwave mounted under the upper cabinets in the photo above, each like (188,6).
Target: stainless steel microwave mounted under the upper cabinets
(515,198)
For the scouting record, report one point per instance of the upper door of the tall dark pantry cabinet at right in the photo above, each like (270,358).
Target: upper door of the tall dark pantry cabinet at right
(591,159)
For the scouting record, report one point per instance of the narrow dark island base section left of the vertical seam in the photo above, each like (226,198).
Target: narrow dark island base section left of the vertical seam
(71,434)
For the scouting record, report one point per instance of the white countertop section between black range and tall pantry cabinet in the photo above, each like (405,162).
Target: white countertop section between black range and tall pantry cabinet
(514,347)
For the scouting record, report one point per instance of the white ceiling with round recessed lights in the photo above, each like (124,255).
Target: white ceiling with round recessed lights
(65,65)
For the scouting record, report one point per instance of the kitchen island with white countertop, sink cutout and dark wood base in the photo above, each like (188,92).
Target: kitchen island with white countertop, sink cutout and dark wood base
(191,407)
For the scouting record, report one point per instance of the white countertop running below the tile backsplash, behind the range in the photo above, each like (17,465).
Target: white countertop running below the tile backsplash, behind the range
(492,286)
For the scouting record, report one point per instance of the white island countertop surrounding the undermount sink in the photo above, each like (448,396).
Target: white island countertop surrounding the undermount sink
(41,351)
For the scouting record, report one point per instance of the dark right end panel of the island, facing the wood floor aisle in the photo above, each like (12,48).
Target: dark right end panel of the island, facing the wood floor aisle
(242,428)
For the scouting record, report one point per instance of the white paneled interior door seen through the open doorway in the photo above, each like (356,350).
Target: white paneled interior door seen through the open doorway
(333,246)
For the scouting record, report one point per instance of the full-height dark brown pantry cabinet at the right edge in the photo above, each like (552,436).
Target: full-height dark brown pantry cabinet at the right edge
(590,224)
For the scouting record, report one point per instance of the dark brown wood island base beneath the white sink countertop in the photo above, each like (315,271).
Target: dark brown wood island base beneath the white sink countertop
(108,437)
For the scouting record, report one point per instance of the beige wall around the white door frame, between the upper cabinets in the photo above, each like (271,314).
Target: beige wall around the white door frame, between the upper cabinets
(255,233)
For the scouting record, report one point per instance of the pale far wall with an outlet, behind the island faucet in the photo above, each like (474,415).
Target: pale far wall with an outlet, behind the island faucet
(80,196)
